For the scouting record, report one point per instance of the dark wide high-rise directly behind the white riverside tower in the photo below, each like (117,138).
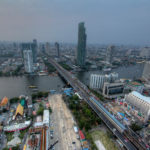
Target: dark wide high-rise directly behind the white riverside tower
(32,47)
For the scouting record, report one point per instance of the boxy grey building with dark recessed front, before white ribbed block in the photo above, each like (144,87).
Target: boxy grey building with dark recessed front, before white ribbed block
(113,90)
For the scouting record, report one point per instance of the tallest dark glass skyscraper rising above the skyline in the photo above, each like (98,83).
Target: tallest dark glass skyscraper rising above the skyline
(81,48)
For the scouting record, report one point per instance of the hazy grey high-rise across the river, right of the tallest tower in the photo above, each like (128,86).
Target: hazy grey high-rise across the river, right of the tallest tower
(109,54)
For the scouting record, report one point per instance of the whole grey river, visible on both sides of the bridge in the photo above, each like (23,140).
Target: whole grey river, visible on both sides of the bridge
(15,86)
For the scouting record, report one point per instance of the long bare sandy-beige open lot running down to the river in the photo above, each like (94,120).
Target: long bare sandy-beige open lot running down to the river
(62,124)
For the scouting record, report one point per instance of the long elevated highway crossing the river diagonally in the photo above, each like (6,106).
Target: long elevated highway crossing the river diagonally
(131,143)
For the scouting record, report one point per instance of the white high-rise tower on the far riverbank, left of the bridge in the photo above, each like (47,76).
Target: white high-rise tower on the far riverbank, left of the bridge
(28,61)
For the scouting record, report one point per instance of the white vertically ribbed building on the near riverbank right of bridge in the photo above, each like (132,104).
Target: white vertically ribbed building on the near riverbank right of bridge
(97,81)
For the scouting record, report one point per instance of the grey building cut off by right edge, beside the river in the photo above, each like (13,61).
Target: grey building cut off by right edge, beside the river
(146,72)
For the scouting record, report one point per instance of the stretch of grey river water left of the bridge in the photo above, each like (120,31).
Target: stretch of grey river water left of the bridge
(16,86)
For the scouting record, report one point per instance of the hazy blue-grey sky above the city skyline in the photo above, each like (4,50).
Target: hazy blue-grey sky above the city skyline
(106,21)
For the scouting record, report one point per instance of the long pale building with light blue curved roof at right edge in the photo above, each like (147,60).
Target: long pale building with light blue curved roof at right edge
(140,102)
